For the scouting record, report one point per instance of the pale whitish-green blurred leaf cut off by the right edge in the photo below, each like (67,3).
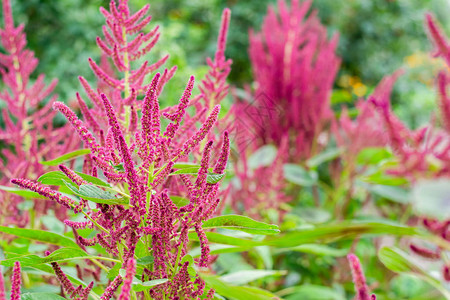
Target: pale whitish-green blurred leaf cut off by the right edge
(432,198)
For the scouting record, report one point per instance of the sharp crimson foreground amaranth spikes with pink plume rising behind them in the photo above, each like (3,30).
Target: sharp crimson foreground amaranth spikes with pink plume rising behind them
(139,158)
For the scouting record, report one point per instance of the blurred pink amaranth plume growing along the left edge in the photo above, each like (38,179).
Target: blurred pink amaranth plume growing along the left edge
(28,118)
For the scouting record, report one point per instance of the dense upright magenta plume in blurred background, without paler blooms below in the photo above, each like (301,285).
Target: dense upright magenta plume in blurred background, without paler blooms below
(294,66)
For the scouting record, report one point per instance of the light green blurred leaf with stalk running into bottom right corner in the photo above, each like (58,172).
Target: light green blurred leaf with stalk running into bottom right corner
(399,261)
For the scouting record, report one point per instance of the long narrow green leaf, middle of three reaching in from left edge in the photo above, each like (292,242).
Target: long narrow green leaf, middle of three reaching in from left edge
(40,235)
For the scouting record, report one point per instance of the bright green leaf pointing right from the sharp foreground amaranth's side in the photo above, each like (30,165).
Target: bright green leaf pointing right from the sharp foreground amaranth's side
(241,223)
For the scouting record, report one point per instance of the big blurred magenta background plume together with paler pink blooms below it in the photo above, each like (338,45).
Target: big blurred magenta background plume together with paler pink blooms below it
(294,66)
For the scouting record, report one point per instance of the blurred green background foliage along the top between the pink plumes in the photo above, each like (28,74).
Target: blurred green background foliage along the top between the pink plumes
(376,38)
